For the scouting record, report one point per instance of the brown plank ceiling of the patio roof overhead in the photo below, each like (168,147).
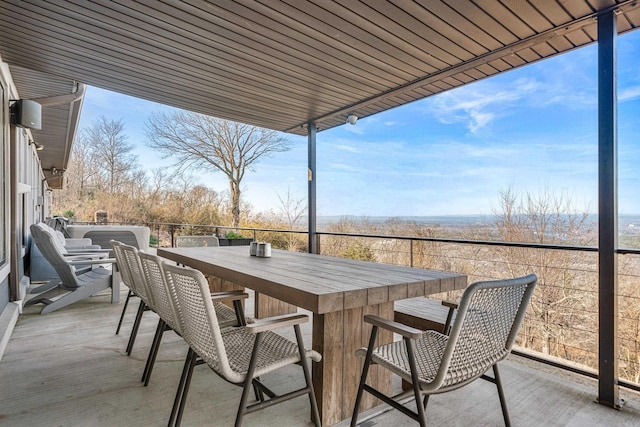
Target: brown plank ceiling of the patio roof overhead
(282,64)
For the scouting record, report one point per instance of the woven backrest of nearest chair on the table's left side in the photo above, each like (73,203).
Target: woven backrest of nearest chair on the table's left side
(192,303)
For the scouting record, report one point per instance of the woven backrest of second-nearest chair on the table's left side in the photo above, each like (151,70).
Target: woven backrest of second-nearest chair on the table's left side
(157,287)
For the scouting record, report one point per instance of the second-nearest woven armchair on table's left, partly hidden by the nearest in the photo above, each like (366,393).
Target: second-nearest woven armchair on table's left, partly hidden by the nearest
(154,276)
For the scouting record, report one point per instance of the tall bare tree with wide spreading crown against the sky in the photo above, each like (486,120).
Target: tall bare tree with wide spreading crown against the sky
(194,140)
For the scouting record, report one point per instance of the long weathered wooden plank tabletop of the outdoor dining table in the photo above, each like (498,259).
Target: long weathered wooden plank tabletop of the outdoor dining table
(318,283)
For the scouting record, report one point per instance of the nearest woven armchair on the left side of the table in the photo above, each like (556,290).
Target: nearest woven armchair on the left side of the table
(238,355)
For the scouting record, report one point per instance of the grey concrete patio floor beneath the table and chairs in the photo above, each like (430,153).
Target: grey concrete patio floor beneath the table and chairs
(68,368)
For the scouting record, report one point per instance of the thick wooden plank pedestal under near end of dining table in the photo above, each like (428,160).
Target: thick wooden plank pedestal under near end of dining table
(336,336)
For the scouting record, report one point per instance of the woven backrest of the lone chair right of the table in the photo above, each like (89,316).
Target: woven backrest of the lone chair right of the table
(484,331)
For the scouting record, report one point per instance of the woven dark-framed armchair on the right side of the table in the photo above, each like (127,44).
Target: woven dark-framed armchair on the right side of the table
(483,333)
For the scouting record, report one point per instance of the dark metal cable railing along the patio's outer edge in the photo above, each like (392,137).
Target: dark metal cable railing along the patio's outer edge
(561,324)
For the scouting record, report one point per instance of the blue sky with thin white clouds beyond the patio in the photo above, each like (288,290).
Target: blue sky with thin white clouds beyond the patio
(533,129)
